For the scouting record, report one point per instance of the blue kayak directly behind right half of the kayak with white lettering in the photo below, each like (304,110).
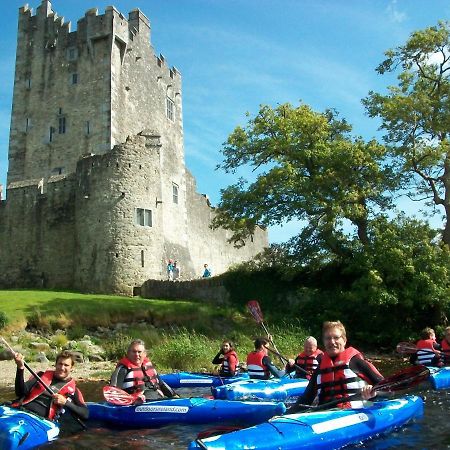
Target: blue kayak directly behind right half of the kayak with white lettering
(278,389)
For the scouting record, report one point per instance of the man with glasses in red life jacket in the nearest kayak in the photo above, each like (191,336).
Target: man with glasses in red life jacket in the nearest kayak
(341,373)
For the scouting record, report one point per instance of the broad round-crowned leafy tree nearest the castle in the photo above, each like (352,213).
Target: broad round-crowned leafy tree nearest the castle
(307,167)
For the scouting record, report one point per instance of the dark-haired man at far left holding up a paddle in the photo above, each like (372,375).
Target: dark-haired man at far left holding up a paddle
(33,397)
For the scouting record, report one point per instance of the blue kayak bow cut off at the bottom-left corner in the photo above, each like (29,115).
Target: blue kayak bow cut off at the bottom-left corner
(24,430)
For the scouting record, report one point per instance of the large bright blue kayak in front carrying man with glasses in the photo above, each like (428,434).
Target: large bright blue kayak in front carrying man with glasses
(331,429)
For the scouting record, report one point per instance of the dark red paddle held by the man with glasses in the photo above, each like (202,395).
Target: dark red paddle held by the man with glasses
(399,381)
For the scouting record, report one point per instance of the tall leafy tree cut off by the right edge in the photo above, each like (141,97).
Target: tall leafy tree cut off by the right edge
(416,115)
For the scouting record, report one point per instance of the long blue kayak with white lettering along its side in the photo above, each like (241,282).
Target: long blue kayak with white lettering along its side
(184,411)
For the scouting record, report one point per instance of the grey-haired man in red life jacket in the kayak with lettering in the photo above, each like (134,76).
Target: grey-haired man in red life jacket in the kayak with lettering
(135,373)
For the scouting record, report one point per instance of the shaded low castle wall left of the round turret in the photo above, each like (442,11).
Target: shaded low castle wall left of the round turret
(36,232)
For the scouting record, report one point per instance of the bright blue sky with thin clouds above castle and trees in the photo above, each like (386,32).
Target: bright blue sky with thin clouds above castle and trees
(237,54)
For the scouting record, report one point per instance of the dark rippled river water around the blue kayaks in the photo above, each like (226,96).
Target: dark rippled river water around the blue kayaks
(430,432)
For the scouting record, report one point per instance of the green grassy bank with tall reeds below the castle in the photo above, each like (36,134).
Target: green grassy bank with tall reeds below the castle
(182,335)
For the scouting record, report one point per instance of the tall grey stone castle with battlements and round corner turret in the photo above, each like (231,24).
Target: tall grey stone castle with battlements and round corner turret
(99,197)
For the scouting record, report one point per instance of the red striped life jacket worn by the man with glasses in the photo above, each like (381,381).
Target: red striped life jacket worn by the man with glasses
(337,380)
